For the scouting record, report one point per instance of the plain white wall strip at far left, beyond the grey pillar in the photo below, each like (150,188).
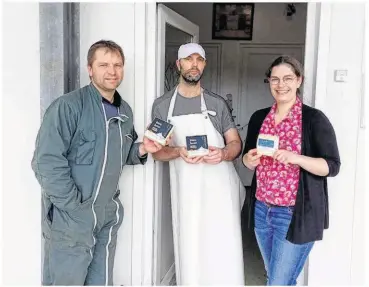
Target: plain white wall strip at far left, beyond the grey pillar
(21,208)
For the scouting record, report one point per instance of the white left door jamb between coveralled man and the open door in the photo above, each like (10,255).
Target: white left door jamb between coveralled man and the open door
(142,255)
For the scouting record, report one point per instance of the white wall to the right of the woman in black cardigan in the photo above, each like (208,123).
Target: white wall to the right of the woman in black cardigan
(337,260)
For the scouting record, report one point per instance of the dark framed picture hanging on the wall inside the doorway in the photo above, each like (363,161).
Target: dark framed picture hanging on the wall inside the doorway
(233,21)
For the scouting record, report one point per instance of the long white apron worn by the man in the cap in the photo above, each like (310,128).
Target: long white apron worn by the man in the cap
(206,209)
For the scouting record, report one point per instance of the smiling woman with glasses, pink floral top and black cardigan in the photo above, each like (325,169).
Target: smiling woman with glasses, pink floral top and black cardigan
(289,198)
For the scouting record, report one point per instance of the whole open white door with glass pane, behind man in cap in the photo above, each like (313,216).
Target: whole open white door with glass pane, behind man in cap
(172,30)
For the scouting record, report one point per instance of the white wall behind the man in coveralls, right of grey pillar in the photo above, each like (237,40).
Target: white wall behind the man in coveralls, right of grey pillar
(123,23)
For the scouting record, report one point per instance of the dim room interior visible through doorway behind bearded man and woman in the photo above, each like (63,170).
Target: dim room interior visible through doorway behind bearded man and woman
(235,70)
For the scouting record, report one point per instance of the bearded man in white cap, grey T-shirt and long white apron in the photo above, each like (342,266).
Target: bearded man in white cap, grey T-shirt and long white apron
(206,192)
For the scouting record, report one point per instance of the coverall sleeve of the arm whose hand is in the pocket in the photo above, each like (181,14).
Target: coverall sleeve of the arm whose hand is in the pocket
(49,162)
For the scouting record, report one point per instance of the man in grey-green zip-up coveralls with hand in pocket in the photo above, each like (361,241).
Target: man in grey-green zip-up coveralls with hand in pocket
(85,139)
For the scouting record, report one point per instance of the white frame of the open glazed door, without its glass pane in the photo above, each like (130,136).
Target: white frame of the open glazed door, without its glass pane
(164,16)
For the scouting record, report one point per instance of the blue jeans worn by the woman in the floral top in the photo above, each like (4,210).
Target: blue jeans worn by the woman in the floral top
(283,260)
